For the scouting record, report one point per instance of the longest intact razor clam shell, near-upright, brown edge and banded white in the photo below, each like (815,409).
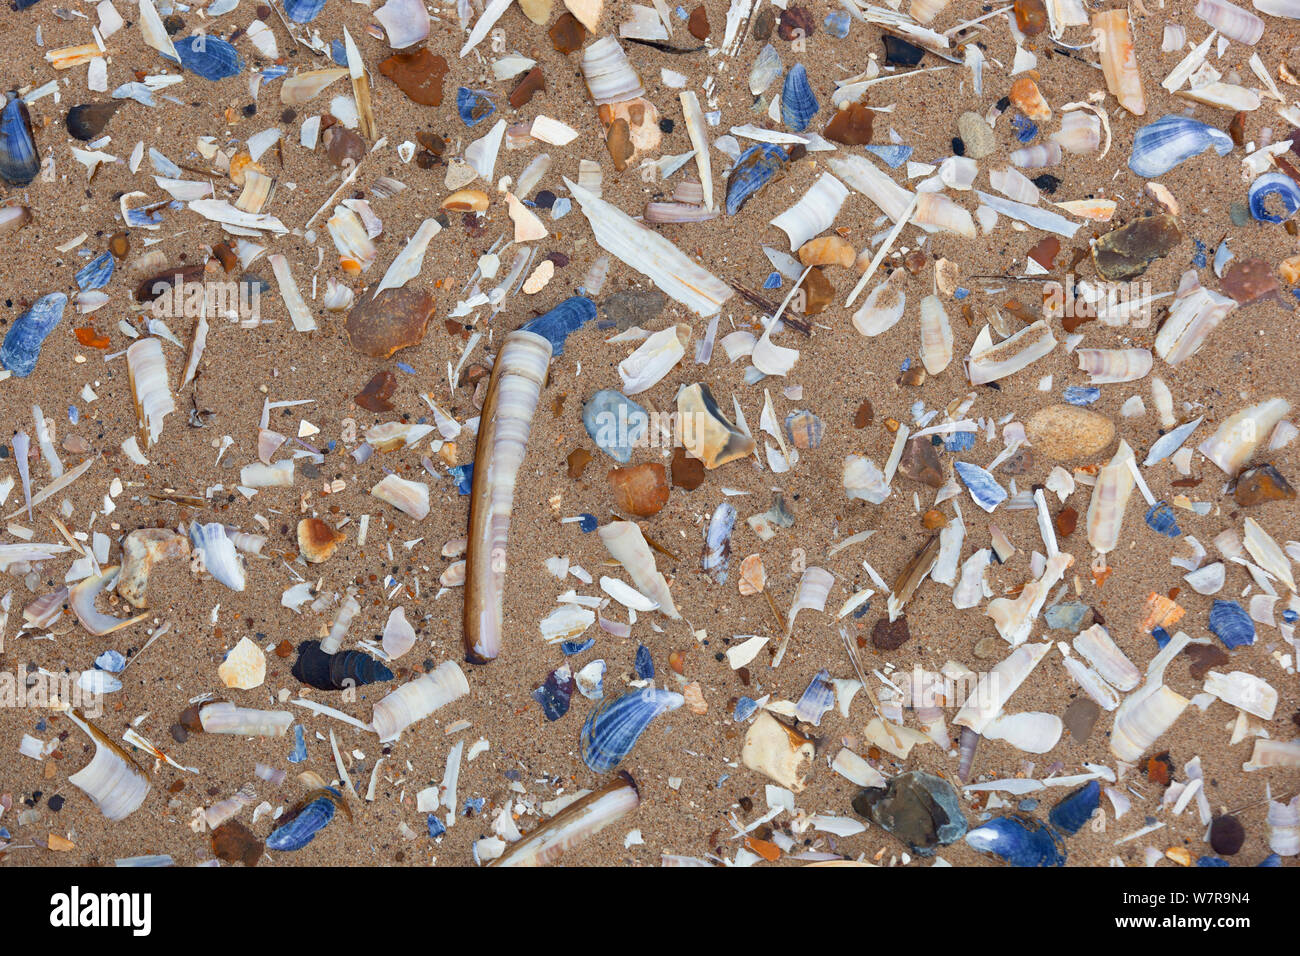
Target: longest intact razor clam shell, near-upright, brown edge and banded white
(508,416)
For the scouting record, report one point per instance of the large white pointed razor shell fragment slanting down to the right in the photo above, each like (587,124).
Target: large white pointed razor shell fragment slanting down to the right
(652,256)
